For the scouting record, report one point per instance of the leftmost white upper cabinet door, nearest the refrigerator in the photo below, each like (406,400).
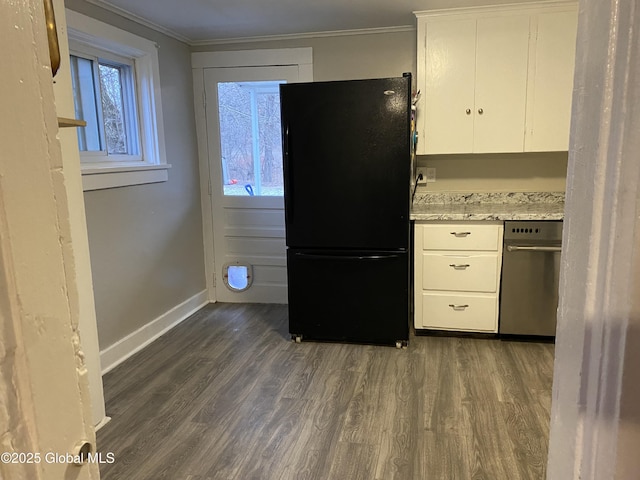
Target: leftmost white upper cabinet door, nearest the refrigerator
(447,107)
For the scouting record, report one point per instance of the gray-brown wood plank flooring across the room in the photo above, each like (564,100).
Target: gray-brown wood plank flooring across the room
(227,395)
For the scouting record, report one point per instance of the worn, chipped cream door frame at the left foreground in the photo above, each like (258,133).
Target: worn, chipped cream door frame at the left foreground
(43,381)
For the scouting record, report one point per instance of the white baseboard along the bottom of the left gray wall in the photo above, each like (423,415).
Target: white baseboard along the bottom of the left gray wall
(117,353)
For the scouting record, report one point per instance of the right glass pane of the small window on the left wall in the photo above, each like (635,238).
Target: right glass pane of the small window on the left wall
(113,109)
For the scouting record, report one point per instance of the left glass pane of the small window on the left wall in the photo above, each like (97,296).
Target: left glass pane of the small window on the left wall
(85,100)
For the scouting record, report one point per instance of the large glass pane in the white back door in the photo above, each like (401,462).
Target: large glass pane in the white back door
(250,138)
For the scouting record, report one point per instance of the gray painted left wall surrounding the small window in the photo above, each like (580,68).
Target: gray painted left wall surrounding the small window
(145,241)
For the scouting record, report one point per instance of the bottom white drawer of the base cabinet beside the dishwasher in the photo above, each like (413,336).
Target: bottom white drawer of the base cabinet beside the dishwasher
(460,312)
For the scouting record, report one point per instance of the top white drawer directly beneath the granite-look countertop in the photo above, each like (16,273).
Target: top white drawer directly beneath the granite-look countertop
(461,237)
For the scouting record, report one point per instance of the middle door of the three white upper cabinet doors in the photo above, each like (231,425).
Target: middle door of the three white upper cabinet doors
(502,54)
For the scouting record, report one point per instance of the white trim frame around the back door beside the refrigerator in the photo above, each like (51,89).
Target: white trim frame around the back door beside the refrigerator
(301,57)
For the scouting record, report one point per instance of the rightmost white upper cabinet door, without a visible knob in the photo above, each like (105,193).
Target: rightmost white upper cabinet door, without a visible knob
(549,102)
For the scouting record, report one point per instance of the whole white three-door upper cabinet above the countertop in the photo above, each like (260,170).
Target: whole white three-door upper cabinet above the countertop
(495,79)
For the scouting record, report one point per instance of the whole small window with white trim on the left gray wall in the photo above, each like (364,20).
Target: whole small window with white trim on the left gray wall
(116,90)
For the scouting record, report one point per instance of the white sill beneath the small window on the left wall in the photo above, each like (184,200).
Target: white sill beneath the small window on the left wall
(99,177)
